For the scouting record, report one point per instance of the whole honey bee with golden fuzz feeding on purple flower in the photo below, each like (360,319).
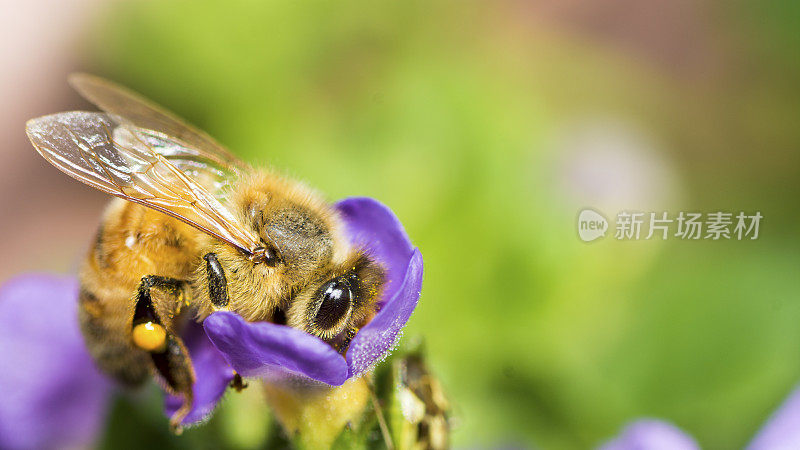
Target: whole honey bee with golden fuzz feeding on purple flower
(195,230)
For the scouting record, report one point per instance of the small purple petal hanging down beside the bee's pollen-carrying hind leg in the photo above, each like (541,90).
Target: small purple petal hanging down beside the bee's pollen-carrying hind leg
(212,376)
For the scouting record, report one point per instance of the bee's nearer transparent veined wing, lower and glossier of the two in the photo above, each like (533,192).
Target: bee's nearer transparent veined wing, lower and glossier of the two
(121,160)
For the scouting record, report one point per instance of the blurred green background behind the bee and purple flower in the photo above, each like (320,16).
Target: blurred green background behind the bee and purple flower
(486,127)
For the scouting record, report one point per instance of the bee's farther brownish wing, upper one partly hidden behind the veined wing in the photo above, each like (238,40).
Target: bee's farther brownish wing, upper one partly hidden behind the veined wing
(196,146)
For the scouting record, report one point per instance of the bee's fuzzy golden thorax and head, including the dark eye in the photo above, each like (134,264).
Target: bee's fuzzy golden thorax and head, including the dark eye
(309,276)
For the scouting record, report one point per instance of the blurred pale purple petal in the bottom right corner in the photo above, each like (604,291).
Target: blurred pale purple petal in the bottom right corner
(782,430)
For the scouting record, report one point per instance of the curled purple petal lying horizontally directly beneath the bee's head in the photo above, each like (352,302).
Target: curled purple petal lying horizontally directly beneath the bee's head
(268,350)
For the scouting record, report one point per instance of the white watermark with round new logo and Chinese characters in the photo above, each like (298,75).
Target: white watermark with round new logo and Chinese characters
(634,226)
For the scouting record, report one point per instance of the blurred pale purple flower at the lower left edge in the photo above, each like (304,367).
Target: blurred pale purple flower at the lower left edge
(53,396)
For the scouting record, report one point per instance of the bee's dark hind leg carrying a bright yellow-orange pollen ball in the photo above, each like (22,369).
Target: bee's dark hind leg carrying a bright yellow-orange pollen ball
(170,357)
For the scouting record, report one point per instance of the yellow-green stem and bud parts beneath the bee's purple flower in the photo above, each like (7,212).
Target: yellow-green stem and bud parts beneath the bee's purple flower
(398,406)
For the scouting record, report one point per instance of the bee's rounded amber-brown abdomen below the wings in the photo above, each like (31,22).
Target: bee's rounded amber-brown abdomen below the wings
(131,243)
